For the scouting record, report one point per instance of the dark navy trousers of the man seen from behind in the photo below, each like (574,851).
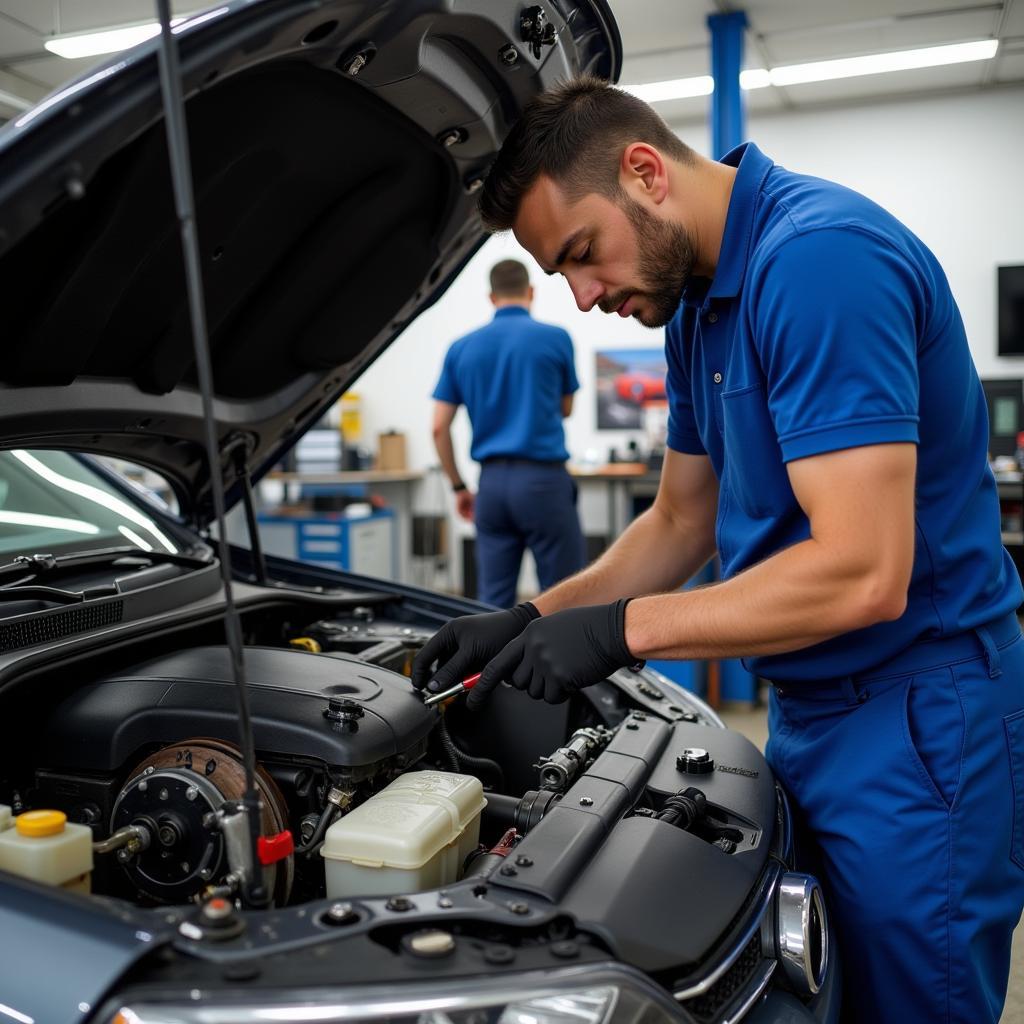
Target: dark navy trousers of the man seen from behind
(520,505)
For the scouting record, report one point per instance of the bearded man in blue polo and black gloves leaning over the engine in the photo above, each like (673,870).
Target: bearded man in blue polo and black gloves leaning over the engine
(828,437)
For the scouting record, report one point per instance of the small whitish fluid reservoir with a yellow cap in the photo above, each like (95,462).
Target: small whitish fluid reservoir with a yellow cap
(46,847)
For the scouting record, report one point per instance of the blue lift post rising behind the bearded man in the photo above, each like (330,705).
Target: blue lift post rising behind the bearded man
(728,132)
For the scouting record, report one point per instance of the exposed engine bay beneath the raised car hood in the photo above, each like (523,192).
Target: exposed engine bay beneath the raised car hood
(146,753)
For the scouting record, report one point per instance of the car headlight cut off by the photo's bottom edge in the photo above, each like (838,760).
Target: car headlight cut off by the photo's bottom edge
(612,995)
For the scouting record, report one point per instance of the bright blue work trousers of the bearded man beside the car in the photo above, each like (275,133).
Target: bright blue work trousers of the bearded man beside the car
(910,784)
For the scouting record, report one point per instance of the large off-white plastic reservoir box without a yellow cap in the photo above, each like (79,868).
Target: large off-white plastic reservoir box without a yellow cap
(412,836)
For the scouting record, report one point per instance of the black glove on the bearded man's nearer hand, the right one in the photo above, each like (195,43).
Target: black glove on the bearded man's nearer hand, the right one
(561,654)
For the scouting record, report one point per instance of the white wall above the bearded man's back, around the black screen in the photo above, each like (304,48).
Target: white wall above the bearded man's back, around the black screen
(949,167)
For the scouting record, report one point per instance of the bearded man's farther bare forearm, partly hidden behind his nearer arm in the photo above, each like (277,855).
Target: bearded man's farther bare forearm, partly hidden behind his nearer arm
(655,554)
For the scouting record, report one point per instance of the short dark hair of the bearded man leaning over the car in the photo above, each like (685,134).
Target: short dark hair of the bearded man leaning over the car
(575,135)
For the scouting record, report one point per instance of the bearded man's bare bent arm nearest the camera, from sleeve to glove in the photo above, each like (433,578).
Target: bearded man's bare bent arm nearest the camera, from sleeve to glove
(852,573)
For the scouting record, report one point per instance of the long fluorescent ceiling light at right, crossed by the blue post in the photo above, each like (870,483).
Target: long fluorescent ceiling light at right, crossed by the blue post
(824,71)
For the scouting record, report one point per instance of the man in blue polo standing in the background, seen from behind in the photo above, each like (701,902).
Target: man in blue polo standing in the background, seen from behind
(517,379)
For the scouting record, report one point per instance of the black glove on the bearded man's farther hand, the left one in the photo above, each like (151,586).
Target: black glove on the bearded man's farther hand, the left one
(464,646)
